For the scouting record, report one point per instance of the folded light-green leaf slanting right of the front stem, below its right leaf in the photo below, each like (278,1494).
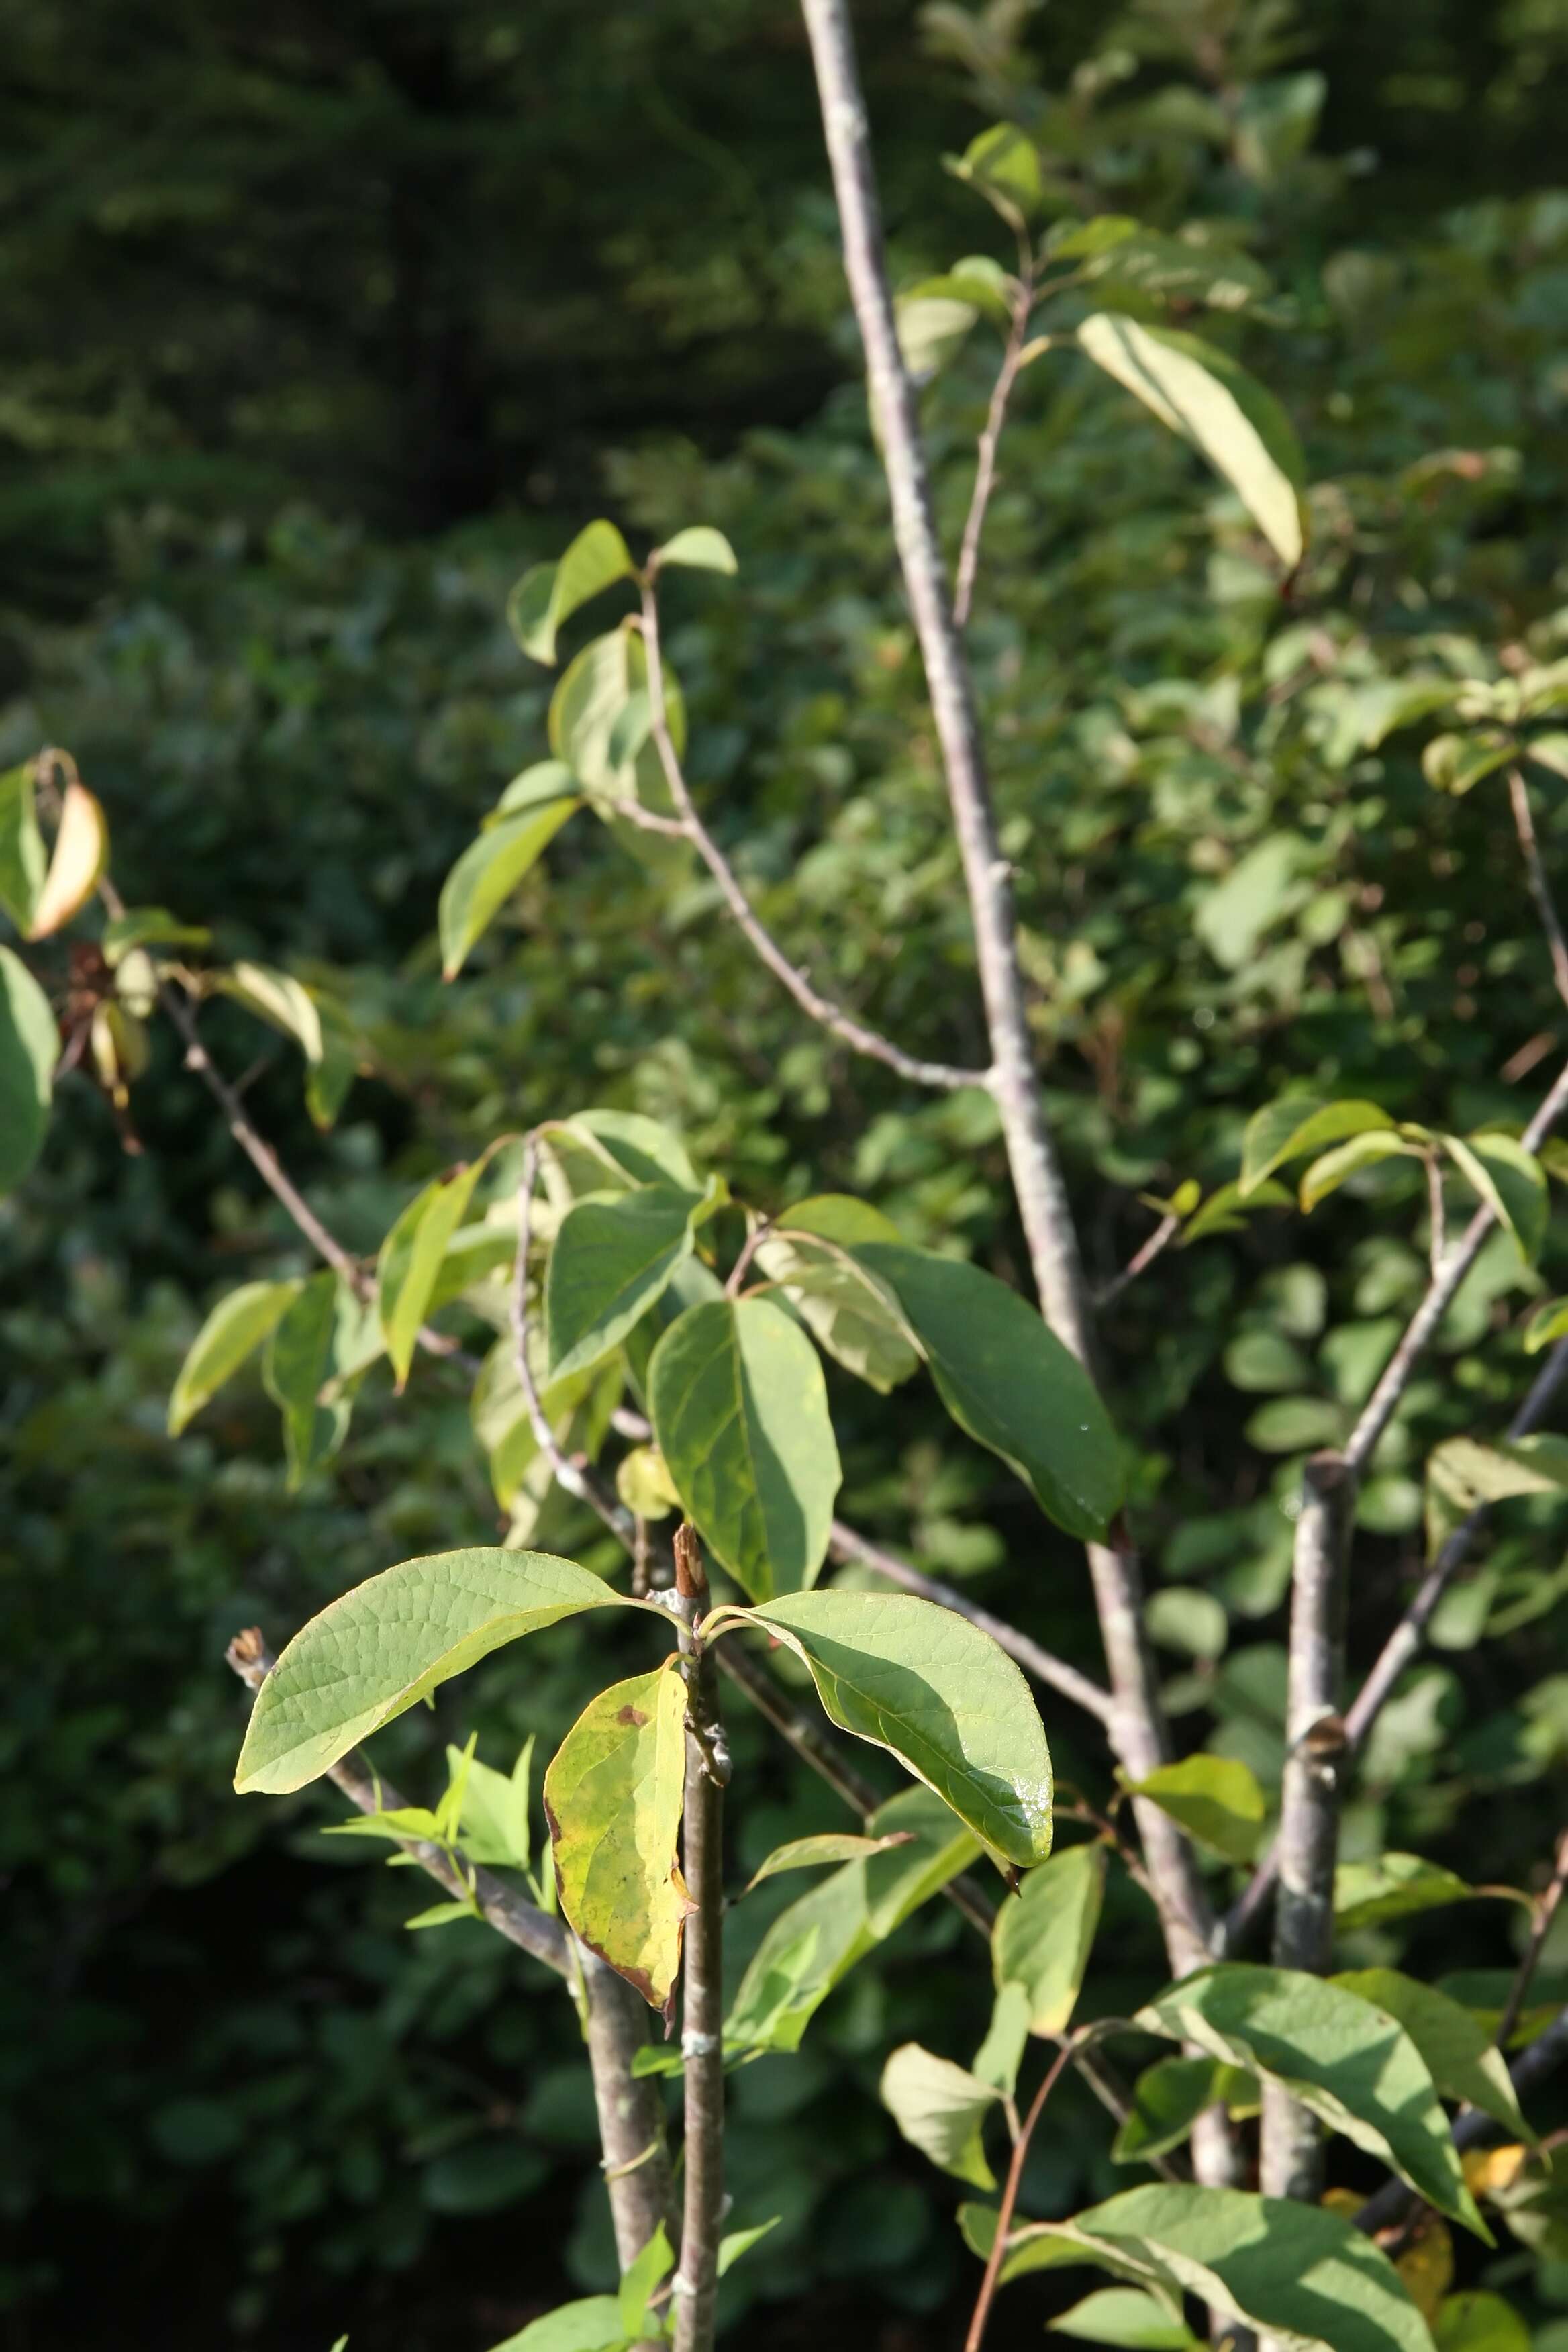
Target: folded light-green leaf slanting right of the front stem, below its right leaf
(812,1946)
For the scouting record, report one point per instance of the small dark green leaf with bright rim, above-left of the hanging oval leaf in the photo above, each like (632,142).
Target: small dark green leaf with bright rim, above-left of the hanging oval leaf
(615,1252)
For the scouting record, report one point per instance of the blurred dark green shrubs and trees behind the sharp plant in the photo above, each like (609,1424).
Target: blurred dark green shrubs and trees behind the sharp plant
(319,326)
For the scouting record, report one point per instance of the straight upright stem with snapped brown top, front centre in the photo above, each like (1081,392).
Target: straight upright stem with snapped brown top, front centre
(702,1972)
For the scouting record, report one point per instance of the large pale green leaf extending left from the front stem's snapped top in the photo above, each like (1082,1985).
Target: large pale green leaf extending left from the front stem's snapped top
(389,1643)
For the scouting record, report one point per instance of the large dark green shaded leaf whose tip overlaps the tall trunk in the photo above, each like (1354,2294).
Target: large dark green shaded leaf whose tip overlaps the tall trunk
(1010,1384)
